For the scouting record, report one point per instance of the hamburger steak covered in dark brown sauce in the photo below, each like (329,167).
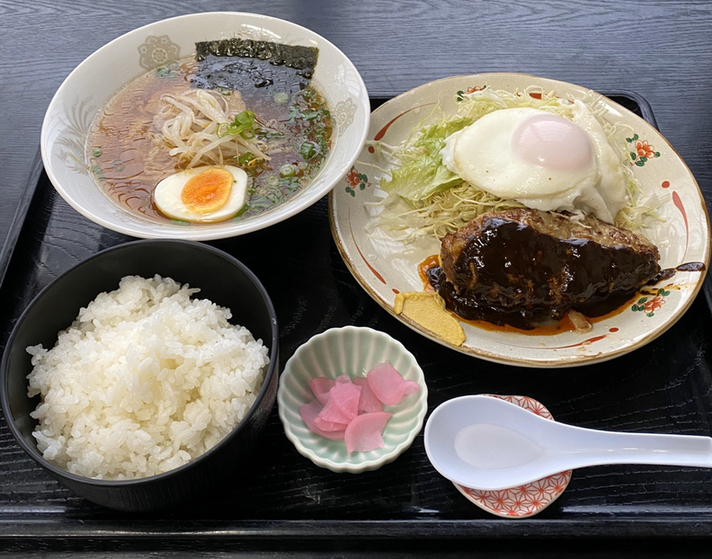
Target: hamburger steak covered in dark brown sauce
(527,268)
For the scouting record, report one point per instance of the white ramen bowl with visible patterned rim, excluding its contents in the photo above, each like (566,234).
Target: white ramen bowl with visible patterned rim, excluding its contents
(84,92)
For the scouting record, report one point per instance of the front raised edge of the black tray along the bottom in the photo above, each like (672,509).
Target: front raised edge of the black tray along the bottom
(688,525)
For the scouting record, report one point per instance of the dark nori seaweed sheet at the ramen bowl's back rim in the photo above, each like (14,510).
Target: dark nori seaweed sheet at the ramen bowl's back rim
(240,64)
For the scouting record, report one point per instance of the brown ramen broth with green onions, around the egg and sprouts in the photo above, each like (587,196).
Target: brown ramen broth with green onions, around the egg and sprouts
(129,156)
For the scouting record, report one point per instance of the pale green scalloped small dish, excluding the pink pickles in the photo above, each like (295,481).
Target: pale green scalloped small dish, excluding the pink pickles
(354,351)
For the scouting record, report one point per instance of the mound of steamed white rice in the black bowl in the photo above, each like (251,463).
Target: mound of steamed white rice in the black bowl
(145,380)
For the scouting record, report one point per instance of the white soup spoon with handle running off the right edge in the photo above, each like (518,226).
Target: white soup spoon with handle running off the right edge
(486,443)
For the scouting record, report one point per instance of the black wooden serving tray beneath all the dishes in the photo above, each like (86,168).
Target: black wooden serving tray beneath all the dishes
(284,500)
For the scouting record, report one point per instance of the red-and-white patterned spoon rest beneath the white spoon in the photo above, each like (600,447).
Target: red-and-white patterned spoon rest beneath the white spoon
(525,500)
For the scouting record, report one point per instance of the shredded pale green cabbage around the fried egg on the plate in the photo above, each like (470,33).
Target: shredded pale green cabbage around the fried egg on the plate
(426,198)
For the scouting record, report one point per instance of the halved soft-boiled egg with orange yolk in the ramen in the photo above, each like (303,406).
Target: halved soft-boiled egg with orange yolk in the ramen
(202,194)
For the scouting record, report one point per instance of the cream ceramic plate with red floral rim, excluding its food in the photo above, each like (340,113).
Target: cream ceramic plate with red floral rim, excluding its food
(385,266)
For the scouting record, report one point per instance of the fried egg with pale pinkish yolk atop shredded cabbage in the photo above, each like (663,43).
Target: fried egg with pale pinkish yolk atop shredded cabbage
(542,160)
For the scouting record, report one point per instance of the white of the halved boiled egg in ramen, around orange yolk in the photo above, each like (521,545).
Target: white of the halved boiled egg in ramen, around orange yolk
(167,196)
